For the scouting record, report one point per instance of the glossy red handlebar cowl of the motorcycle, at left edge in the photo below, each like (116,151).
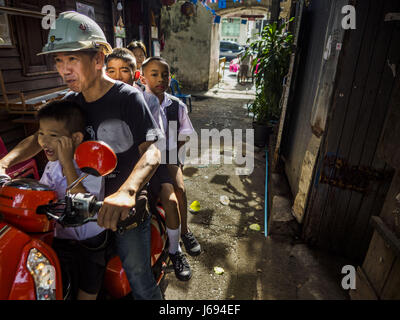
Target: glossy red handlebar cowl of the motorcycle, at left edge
(18,206)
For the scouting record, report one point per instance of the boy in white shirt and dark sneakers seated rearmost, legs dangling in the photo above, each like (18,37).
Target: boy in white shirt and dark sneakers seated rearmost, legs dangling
(156,77)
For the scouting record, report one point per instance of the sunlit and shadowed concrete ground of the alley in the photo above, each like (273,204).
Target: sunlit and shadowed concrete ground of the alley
(255,267)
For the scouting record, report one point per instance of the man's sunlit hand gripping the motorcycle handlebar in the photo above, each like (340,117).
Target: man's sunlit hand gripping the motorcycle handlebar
(115,207)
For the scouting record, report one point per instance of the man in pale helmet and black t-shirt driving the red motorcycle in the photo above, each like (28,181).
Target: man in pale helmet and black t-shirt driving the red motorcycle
(117,114)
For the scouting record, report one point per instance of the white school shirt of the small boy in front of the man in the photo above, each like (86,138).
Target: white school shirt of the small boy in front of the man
(55,179)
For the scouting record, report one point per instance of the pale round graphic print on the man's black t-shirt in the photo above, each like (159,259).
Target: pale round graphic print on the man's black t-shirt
(116,134)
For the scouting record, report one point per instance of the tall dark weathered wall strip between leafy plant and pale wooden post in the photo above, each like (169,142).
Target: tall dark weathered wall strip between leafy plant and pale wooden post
(298,134)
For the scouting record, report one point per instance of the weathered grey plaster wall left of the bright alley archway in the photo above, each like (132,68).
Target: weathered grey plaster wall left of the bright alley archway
(189,44)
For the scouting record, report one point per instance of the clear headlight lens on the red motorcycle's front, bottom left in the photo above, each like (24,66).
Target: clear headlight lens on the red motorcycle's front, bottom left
(43,273)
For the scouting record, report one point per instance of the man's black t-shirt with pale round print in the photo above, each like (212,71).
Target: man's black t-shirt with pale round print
(121,118)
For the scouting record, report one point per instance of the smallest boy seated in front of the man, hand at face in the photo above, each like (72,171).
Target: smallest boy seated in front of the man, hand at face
(81,250)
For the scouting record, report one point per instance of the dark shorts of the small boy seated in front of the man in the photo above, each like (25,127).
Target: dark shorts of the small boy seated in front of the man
(83,263)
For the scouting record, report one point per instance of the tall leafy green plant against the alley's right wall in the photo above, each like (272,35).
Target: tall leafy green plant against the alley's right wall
(270,66)
